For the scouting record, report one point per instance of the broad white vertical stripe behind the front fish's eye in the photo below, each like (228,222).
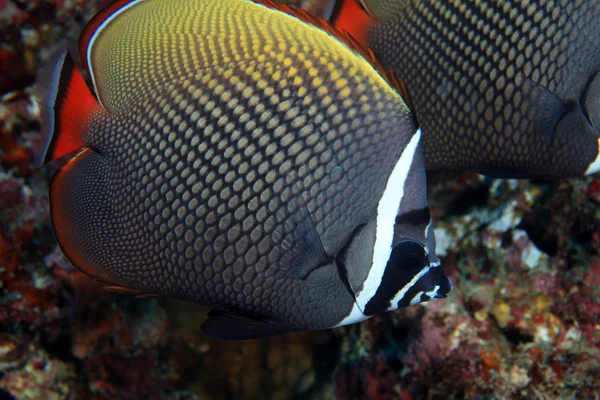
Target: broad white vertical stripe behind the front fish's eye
(387,210)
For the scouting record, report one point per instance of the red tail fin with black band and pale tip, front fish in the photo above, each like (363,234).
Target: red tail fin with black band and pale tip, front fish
(66,107)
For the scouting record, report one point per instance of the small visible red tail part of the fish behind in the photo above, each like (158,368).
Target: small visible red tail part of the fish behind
(350,16)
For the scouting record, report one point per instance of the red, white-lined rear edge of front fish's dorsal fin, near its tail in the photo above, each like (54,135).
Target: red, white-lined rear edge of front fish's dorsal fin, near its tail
(86,38)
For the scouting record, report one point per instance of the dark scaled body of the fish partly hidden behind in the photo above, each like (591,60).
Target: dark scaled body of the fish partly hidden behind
(478,70)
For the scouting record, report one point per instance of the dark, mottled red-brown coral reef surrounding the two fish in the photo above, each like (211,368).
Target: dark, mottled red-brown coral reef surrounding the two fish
(523,321)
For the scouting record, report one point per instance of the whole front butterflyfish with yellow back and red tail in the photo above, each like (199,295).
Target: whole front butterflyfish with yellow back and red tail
(242,155)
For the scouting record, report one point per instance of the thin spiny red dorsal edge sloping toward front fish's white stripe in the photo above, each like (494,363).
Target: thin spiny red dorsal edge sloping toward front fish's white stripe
(349,40)
